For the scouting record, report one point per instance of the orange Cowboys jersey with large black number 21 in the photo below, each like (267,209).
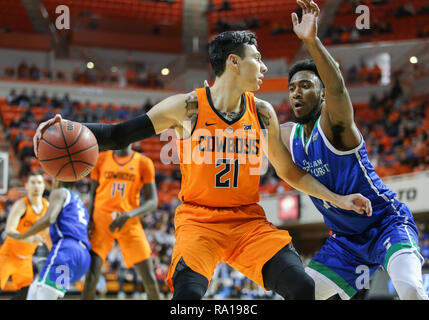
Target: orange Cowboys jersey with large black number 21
(221,161)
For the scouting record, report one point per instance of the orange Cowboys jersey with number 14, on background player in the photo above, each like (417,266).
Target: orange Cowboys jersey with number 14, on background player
(120,180)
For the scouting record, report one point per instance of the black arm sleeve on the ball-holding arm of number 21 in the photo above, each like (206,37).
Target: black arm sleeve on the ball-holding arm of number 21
(120,135)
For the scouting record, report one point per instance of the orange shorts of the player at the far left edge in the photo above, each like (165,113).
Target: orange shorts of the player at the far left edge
(19,268)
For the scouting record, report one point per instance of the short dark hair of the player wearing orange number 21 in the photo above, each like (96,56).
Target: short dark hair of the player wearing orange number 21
(226,43)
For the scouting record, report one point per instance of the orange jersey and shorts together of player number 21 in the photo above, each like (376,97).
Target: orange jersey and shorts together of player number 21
(220,195)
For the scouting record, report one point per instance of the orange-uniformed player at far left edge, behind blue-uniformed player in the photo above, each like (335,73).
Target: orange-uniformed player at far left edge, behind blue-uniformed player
(16,256)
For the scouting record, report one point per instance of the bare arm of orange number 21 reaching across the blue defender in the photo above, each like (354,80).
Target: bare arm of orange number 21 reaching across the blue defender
(286,169)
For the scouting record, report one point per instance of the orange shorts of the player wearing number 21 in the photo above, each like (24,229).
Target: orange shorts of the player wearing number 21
(242,237)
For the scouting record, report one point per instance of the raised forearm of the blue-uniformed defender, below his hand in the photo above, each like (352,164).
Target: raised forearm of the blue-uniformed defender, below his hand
(326,66)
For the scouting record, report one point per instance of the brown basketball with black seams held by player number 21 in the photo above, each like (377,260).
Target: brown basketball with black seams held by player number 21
(68,151)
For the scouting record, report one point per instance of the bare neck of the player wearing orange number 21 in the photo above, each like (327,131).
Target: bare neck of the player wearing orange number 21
(226,96)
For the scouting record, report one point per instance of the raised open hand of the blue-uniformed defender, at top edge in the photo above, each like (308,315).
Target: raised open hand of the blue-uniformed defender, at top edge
(306,30)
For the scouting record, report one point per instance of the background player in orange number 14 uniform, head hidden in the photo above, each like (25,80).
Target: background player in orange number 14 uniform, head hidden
(117,179)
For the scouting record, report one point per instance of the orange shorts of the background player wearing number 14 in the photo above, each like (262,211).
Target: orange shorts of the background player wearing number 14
(131,239)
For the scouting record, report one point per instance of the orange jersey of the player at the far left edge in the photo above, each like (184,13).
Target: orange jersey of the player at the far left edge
(29,218)
